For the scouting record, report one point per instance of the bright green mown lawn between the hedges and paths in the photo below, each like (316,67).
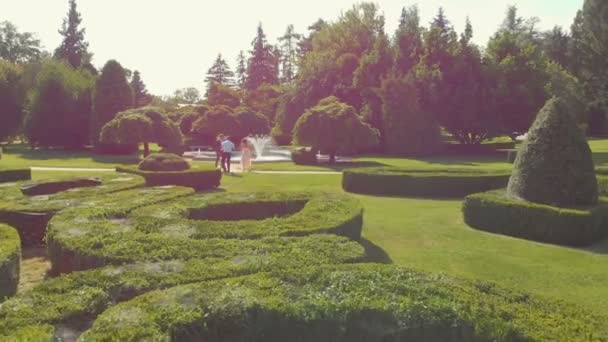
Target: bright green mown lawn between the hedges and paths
(425,234)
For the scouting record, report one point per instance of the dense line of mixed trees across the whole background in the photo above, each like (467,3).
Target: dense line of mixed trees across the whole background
(406,84)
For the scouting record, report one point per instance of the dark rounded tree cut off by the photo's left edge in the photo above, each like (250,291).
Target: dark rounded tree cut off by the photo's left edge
(12,98)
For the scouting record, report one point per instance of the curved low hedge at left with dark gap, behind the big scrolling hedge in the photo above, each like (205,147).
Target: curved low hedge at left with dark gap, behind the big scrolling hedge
(30,214)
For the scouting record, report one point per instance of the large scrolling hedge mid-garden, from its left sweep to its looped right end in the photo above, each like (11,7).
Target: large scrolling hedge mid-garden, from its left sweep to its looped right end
(80,239)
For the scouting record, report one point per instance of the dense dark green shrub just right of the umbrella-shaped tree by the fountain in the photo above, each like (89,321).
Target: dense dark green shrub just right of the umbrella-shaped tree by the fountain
(408,130)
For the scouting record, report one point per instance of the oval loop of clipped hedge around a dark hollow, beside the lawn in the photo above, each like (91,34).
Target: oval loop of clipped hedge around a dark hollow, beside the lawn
(253,215)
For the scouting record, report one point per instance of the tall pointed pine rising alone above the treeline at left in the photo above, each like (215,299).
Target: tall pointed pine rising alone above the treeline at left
(73,48)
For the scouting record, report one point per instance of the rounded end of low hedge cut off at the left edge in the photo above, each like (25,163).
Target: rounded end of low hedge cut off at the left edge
(10,257)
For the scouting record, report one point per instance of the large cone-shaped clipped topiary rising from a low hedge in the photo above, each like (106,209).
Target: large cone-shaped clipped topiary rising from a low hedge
(554,166)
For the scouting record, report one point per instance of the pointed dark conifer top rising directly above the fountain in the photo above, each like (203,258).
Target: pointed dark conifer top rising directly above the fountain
(262,66)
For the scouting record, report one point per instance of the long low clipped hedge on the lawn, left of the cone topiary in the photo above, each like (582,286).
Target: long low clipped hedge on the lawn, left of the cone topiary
(392,181)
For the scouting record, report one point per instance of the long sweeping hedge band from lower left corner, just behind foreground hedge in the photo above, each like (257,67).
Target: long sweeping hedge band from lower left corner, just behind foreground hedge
(71,300)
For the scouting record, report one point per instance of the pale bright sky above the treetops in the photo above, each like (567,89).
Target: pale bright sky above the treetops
(173,43)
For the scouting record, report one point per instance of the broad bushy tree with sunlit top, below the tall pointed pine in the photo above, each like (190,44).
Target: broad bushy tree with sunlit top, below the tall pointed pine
(59,107)
